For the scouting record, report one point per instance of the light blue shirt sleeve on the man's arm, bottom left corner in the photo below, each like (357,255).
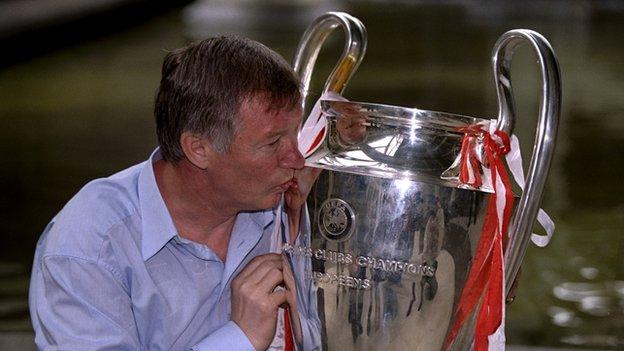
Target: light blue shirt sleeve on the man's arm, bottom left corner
(79,304)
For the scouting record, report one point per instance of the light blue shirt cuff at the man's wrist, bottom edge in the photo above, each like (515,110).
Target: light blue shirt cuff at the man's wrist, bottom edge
(228,337)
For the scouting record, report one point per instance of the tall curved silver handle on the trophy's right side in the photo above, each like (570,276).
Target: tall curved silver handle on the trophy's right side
(544,145)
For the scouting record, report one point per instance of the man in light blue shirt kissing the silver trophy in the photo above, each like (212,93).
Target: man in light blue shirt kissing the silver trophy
(173,253)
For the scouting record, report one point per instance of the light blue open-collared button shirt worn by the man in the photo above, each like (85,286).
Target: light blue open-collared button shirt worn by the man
(111,273)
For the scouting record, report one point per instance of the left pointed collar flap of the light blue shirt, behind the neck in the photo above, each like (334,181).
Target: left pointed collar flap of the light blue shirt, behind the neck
(156,222)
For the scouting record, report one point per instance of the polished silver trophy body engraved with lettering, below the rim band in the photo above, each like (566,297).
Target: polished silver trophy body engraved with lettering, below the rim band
(394,284)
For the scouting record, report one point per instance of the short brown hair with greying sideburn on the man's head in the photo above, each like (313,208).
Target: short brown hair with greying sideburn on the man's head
(204,84)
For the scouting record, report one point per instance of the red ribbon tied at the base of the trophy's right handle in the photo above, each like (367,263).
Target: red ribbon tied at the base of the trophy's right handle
(485,280)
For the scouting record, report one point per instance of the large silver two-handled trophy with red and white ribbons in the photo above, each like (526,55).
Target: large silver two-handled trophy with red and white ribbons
(416,237)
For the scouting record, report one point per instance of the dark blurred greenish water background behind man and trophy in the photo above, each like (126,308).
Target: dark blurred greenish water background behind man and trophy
(77,83)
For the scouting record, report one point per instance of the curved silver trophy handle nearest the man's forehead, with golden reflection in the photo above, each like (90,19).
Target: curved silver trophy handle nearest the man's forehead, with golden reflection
(310,45)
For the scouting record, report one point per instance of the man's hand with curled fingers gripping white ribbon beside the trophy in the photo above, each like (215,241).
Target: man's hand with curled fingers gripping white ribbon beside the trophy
(255,301)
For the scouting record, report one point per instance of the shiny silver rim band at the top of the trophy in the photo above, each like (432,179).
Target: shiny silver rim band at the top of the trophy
(392,142)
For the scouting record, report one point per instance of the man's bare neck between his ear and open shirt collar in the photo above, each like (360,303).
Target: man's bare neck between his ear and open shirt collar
(198,213)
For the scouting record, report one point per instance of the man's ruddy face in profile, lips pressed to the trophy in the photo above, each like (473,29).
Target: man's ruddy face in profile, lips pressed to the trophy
(260,163)
